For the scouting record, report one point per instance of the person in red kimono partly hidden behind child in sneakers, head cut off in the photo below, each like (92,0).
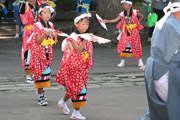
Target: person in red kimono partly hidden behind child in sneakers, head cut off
(29,16)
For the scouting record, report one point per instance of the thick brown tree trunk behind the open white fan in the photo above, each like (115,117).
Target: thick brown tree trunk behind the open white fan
(108,9)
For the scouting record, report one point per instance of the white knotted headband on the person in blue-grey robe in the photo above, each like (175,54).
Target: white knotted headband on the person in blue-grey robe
(174,7)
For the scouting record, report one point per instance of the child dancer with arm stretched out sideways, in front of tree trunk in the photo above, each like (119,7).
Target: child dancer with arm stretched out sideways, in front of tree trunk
(129,41)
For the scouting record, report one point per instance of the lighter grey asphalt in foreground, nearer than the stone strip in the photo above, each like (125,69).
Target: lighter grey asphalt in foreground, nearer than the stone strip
(117,103)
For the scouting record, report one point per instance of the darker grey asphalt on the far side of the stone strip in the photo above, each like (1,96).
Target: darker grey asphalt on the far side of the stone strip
(105,59)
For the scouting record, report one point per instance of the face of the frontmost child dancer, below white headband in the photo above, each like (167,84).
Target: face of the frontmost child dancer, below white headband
(82,25)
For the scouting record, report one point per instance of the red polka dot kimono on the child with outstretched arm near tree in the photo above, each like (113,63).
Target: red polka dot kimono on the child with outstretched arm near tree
(133,38)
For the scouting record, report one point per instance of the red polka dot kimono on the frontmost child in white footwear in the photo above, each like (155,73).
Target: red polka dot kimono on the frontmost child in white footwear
(74,71)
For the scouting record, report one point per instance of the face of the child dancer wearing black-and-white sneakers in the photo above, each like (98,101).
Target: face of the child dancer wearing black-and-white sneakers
(45,14)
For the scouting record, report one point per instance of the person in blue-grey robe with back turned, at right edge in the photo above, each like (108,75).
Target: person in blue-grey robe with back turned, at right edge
(163,67)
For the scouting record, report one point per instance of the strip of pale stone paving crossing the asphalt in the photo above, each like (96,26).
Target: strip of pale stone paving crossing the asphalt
(17,83)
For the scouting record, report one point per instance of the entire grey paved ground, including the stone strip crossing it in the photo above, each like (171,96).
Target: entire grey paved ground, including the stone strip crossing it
(113,93)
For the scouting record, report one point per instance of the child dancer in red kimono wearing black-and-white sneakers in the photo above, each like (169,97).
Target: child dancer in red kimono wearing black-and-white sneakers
(41,52)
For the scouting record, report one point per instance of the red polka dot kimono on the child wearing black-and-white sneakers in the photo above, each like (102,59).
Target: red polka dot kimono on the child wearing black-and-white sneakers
(38,61)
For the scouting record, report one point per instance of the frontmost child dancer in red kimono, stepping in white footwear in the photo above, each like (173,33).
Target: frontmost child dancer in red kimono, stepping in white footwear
(74,71)
